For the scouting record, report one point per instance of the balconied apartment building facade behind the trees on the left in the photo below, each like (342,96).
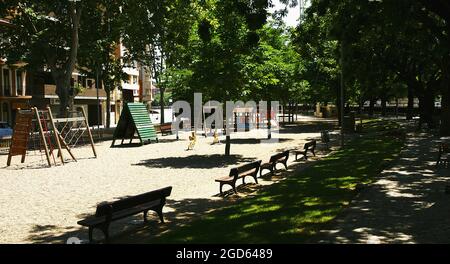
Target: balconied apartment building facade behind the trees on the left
(22,89)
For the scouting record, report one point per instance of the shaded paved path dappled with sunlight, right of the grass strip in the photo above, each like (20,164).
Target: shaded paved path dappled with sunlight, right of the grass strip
(406,204)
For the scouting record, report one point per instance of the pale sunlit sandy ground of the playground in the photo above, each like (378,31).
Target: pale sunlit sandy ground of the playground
(42,205)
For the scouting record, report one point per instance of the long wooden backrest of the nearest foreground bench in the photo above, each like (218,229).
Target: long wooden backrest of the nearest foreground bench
(129,202)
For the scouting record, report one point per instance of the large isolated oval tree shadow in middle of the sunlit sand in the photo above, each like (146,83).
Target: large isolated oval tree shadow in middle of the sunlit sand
(195,161)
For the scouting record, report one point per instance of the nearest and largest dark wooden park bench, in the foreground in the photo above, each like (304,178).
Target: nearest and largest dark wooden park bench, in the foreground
(108,212)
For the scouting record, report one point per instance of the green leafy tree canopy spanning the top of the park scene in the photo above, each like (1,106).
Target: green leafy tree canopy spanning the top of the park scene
(236,49)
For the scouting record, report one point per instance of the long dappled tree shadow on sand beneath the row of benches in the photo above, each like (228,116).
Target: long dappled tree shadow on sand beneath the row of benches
(177,213)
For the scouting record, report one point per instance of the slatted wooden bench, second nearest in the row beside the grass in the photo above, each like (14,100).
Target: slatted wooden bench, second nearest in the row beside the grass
(250,169)
